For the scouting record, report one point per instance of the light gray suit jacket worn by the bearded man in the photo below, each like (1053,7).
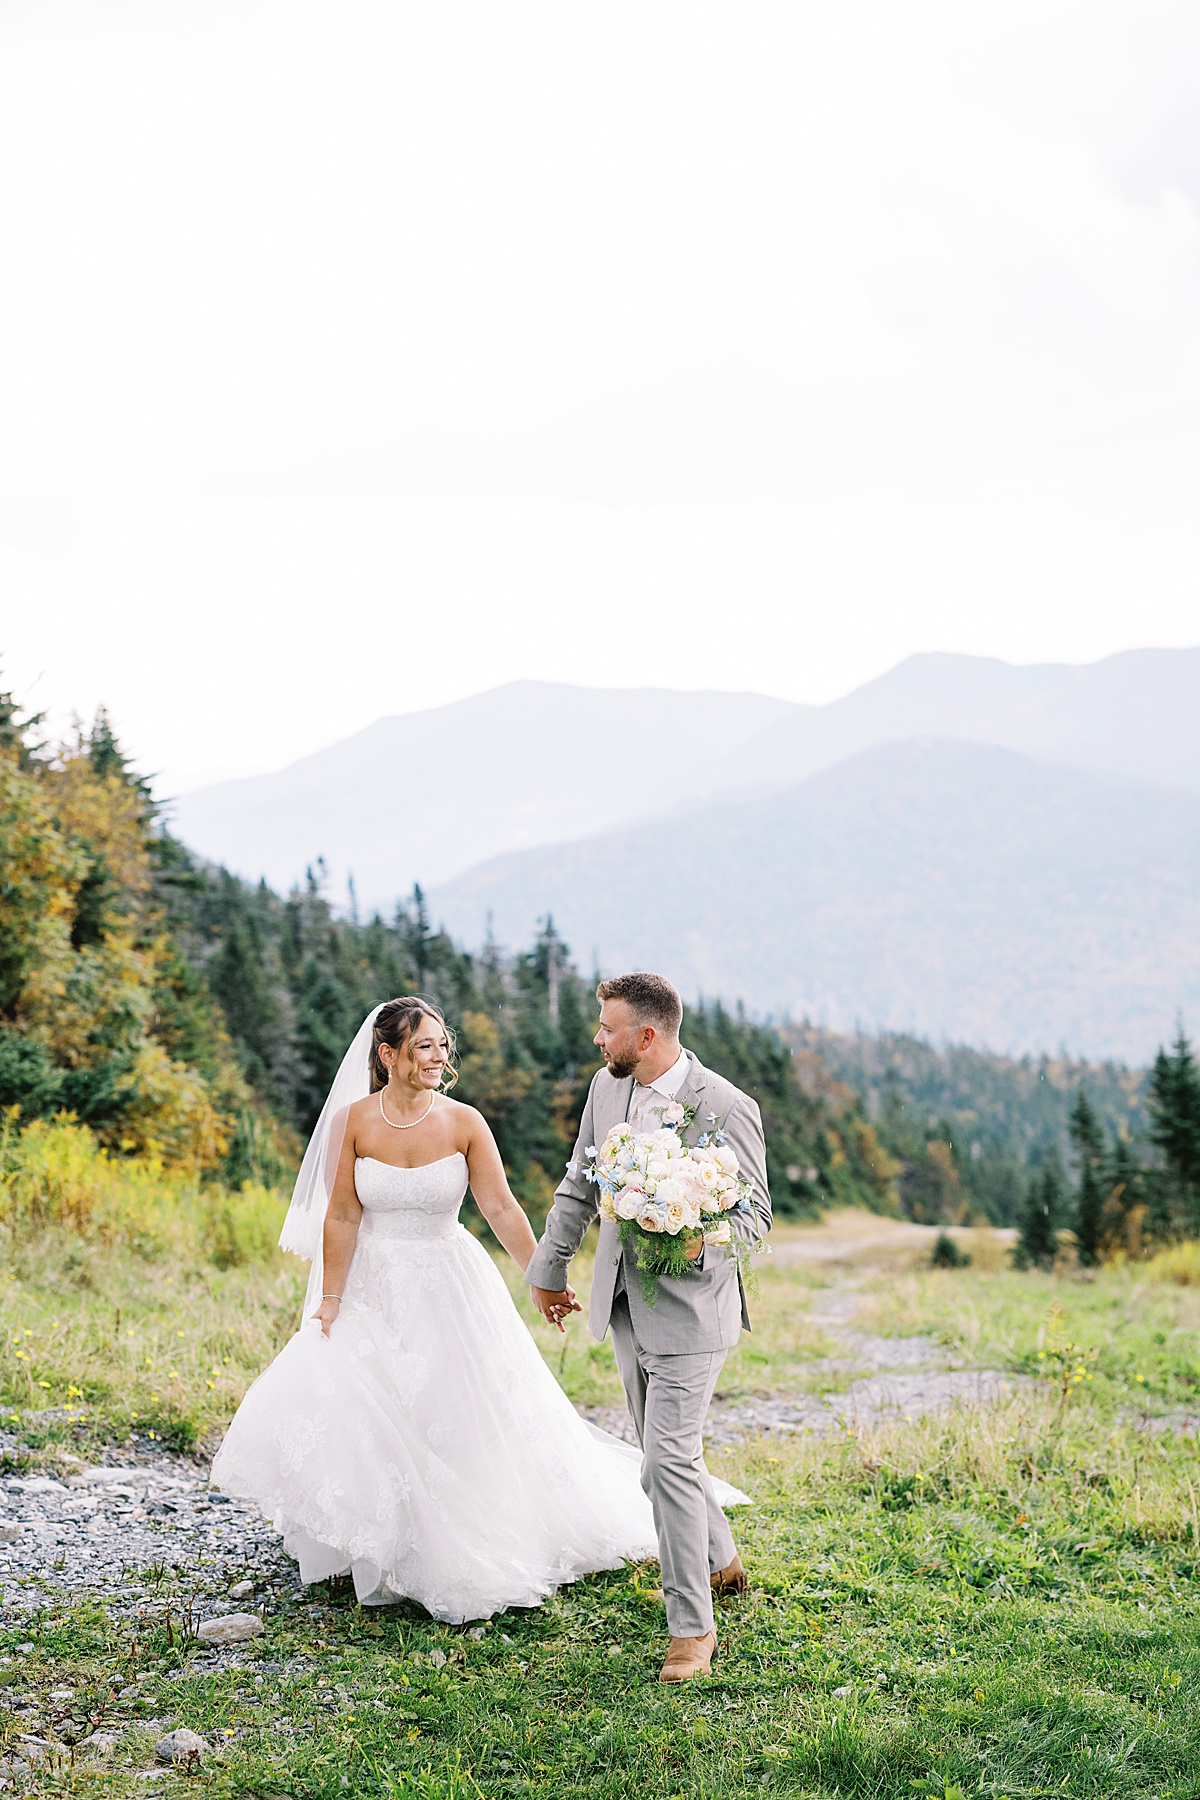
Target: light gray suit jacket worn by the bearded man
(708,1308)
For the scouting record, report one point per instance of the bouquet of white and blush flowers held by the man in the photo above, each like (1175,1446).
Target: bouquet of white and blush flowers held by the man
(665,1194)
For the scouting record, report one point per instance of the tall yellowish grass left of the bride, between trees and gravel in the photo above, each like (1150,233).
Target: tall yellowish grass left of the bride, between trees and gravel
(134,1299)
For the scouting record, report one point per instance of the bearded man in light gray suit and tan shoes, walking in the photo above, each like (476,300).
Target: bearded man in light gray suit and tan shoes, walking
(668,1354)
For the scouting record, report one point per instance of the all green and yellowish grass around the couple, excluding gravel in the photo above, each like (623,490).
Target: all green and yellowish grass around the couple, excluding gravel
(996,1603)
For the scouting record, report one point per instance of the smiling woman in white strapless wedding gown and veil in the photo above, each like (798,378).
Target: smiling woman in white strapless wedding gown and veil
(411,1432)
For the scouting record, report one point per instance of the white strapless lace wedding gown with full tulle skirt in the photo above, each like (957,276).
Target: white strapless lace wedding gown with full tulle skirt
(424,1444)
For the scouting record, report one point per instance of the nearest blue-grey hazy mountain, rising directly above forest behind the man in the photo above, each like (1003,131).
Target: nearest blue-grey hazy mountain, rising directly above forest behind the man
(933,886)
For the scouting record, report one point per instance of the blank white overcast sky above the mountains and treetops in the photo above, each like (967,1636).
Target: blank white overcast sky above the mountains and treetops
(357,357)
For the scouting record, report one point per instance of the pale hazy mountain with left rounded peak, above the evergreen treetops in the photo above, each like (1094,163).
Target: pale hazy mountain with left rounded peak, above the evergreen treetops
(425,795)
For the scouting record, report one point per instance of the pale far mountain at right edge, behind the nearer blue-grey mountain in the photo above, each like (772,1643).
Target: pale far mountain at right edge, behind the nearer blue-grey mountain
(1133,715)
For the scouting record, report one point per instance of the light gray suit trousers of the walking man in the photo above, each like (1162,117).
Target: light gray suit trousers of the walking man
(668,1401)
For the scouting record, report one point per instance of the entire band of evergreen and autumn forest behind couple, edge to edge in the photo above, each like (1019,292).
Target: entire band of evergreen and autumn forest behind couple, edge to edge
(195,1020)
